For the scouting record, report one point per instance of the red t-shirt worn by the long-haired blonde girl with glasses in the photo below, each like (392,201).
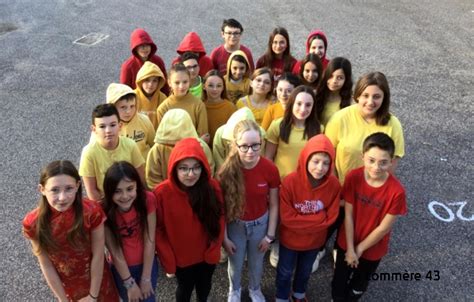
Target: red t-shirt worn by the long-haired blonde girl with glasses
(258,182)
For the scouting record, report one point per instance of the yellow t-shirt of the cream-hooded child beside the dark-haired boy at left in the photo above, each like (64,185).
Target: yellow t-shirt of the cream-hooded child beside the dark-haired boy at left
(141,130)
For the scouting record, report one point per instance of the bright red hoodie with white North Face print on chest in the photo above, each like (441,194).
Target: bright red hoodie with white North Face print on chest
(307,212)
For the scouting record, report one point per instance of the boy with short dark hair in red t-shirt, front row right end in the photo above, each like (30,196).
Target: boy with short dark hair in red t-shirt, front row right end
(373,200)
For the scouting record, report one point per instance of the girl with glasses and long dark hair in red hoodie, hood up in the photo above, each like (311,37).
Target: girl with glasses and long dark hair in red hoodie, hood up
(189,214)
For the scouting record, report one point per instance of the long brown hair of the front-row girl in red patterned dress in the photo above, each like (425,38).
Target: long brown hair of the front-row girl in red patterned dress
(46,242)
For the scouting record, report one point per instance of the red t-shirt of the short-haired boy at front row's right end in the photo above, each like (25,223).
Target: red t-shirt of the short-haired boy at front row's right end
(370,205)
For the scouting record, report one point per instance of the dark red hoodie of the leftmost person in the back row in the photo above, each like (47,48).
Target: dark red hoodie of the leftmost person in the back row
(132,65)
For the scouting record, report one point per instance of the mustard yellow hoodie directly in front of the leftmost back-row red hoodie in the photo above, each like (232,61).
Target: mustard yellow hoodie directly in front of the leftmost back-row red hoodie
(147,105)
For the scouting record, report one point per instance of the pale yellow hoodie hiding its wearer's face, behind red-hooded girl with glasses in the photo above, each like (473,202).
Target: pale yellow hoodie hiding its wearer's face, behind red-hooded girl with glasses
(175,125)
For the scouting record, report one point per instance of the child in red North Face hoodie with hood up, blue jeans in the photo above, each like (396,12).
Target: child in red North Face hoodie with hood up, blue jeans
(309,204)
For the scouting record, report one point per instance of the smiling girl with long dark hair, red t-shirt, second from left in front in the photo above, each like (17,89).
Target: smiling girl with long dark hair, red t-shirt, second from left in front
(130,232)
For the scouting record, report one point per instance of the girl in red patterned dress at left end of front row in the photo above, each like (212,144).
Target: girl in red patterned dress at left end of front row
(67,236)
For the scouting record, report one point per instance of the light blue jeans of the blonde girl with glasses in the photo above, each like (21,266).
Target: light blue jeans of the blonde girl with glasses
(246,235)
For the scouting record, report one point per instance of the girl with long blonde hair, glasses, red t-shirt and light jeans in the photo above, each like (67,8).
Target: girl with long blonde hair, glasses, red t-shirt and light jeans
(250,185)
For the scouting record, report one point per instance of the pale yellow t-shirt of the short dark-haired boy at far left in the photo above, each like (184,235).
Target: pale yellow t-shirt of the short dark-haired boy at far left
(95,160)
